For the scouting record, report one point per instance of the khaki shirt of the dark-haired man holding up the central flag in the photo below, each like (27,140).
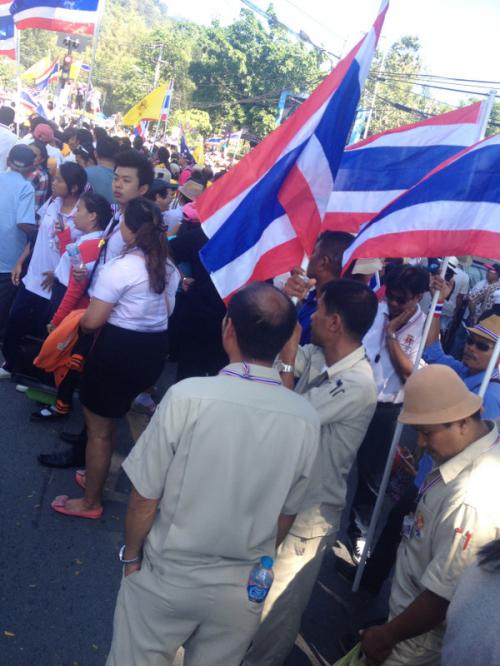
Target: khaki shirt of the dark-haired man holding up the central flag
(345,401)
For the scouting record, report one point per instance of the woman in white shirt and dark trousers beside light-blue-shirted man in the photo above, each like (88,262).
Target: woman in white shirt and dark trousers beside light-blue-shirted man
(30,311)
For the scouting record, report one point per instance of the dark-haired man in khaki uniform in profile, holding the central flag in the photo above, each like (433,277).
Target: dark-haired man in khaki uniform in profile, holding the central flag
(336,379)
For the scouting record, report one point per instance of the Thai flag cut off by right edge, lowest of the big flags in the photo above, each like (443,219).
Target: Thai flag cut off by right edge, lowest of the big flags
(454,210)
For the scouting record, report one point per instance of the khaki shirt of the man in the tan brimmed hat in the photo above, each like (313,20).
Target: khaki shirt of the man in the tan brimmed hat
(458,513)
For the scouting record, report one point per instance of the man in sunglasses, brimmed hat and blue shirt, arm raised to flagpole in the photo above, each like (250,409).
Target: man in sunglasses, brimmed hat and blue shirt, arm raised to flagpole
(479,346)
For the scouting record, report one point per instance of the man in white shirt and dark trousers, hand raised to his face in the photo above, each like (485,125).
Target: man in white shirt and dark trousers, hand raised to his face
(391,346)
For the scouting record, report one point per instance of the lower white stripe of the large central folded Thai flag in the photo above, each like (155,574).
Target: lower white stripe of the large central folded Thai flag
(235,274)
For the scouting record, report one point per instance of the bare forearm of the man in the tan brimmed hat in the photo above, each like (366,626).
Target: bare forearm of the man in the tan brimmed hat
(425,613)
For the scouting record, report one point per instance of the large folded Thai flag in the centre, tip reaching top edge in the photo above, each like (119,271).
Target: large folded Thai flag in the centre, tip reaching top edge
(266,213)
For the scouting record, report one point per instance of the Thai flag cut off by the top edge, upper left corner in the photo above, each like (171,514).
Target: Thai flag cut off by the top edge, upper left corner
(71,16)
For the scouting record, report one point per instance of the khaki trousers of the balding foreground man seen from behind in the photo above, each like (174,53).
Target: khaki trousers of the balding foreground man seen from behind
(154,616)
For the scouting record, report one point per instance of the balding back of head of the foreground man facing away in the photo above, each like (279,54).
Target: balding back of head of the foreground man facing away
(263,319)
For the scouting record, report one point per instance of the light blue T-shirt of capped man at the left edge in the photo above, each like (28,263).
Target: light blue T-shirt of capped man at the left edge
(17,206)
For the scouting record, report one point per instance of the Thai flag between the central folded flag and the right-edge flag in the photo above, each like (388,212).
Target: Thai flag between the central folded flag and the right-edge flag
(375,171)
